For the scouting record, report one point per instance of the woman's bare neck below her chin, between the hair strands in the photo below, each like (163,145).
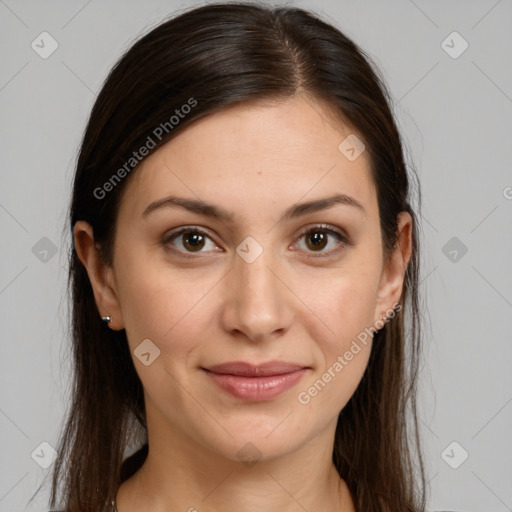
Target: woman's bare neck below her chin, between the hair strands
(179,474)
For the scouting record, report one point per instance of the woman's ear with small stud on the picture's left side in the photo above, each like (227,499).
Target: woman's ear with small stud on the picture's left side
(100,274)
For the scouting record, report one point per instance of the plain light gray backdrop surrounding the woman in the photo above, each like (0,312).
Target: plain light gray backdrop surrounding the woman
(456,117)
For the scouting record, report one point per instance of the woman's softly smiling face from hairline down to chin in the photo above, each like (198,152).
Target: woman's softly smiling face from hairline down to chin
(258,285)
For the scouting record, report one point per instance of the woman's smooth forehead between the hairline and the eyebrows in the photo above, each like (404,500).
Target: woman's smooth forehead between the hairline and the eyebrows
(259,154)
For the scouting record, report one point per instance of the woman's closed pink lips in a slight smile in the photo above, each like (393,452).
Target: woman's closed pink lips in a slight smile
(256,383)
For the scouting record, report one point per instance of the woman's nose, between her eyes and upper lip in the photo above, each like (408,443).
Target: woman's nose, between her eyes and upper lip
(258,305)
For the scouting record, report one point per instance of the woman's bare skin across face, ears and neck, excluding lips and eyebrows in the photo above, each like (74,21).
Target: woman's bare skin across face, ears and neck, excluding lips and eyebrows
(254,160)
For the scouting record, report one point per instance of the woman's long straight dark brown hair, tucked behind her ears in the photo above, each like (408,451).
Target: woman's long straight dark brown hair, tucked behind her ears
(212,57)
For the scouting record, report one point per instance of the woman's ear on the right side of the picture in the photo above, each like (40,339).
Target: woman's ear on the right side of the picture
(393,273)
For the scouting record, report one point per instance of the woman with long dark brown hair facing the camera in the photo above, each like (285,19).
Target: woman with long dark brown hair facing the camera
(245,261)
